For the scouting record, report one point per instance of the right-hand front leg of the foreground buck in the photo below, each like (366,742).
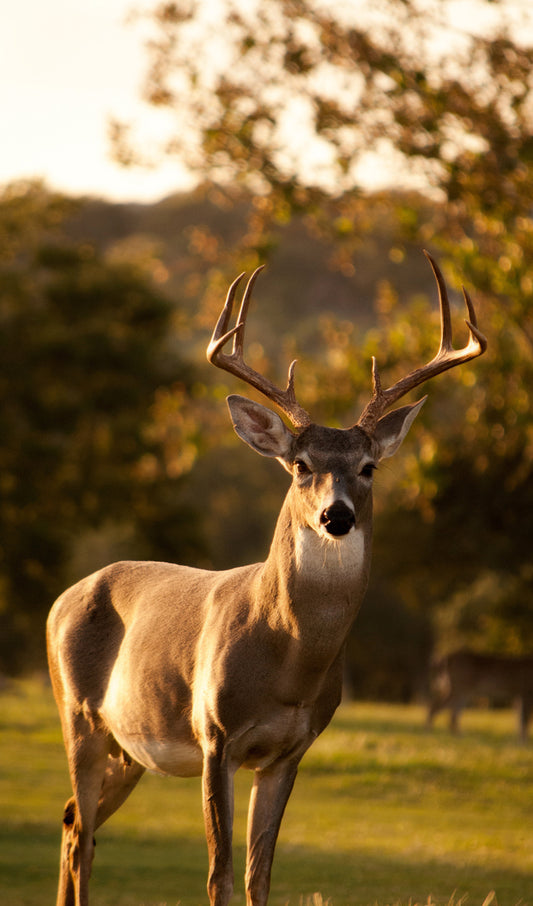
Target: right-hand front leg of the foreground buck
(270,792)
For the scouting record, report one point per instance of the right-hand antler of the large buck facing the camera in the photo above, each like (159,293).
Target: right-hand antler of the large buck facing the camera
(447,357)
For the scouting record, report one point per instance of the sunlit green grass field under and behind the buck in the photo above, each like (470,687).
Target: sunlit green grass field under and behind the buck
(383,812)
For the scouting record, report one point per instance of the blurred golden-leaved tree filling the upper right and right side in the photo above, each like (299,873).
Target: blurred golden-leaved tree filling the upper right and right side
(297,102)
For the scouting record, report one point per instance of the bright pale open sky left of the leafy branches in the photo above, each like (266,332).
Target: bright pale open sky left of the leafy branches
(65,67)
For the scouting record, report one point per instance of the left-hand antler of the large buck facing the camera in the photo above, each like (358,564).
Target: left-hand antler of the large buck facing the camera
(234,363)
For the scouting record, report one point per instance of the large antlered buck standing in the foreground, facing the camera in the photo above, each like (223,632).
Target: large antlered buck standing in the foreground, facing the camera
(185,671)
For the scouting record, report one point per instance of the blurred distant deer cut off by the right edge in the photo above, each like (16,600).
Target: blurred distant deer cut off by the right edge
(461,677)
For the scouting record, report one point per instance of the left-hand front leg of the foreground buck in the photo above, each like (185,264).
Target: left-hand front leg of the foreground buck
(217,793)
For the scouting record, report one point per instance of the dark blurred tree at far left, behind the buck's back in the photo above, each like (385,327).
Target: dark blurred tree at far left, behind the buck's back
(82,356)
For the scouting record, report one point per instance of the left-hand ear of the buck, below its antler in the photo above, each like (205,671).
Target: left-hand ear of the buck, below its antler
(259,427)
